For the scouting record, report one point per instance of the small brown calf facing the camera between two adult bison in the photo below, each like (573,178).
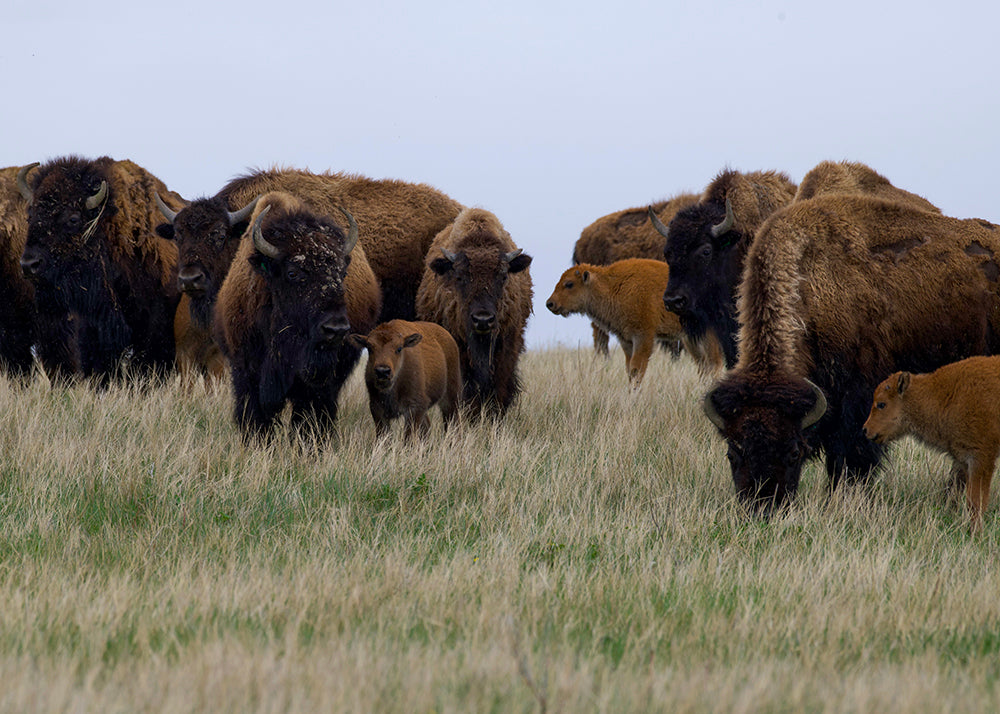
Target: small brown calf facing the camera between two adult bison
(411,367)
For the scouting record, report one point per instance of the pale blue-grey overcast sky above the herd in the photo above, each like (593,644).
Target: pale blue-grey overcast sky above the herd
(549,114)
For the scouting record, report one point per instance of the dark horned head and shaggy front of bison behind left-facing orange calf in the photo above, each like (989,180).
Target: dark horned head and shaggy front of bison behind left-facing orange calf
(702,250)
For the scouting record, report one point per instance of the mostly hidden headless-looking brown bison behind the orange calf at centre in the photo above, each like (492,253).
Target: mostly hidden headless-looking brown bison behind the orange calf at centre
(625,234)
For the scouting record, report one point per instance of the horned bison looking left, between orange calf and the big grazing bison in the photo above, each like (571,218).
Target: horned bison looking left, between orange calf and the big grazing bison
(706,245)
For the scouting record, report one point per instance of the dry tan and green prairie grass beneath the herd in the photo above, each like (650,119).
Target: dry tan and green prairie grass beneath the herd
(585,555)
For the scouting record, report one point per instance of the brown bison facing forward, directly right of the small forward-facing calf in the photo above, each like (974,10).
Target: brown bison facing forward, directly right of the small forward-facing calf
(476,284)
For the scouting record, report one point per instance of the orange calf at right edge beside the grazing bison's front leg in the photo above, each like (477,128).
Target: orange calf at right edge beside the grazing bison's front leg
(956,409)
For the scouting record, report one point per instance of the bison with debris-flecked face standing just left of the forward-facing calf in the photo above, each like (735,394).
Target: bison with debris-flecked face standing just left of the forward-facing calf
(298,286)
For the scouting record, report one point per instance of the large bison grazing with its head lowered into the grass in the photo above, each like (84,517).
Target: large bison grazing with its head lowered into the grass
(840,291)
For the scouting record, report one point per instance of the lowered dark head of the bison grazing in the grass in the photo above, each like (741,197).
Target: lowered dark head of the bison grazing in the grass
(764,426)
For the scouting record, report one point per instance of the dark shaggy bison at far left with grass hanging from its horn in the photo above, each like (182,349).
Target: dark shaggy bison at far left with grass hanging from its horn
(105,283)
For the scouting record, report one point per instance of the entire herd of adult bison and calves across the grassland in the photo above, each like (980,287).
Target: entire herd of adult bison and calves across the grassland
(801,298)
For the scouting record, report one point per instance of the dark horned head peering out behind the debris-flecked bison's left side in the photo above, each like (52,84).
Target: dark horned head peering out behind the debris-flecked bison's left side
(207,234)
